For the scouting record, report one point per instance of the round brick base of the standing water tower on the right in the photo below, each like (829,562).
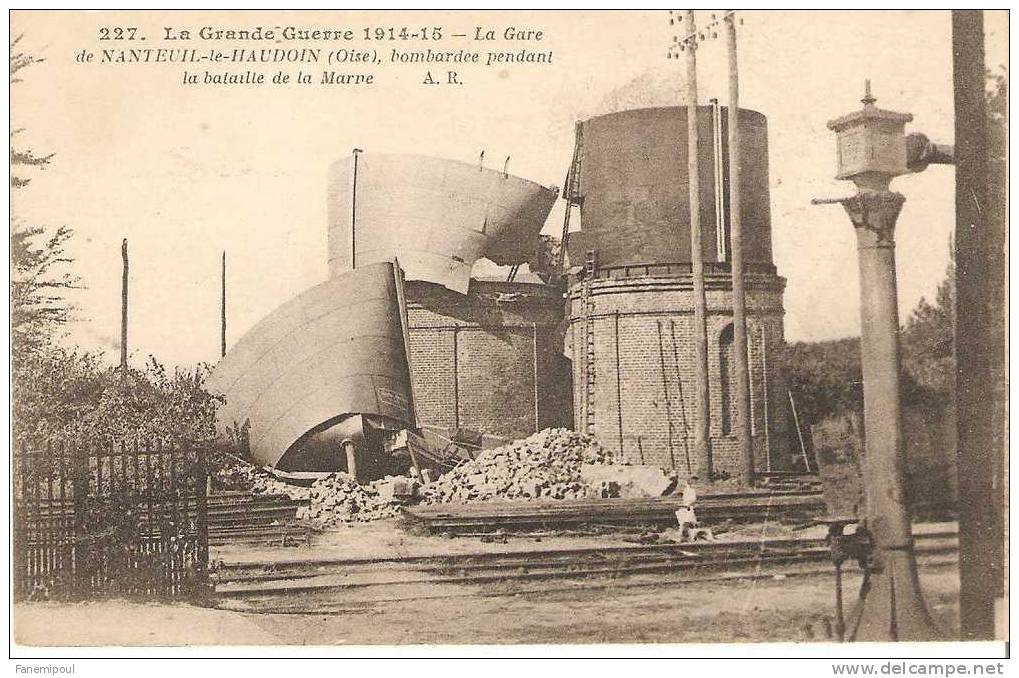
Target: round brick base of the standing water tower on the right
(645,380)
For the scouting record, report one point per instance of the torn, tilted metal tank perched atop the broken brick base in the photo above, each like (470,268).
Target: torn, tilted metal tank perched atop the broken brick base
(438,217)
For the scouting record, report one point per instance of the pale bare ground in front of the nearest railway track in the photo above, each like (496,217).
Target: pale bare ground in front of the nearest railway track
(786,610)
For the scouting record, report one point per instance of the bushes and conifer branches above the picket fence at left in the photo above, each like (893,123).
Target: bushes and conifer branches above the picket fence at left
(60,391)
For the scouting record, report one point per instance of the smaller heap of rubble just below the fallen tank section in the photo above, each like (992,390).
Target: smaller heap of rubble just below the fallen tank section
(339,499)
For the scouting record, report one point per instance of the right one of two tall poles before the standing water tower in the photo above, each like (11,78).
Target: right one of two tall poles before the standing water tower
(740,361)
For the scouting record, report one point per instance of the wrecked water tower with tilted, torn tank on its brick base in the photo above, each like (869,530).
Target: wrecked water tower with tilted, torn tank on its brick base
(486,354)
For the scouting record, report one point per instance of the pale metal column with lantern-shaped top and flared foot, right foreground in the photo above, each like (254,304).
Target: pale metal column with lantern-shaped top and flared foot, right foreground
(873,151)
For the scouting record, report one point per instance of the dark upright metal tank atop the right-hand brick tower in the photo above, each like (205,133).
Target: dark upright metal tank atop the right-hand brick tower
(634,186)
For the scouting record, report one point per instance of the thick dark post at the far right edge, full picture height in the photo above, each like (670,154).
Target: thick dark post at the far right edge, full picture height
(982,389)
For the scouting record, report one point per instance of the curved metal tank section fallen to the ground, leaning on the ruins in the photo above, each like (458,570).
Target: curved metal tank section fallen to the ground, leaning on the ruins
(338,349)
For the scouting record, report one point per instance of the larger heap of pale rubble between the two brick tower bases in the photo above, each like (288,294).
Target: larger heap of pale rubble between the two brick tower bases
(547,465)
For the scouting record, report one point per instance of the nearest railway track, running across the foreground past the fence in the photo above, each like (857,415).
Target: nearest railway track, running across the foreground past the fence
(321,586)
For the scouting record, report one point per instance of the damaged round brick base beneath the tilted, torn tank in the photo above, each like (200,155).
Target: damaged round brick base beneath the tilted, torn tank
(490,360)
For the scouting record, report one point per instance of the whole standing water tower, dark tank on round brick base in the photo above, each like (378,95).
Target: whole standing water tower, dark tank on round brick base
(631,308)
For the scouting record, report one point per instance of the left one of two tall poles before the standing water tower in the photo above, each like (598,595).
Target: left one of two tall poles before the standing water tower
(703,443)
